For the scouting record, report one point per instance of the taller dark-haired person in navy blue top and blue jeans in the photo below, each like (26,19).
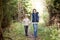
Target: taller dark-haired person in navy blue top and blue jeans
(35,20)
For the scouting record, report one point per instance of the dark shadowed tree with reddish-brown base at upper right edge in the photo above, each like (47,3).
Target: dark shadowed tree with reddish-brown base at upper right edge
(54,12)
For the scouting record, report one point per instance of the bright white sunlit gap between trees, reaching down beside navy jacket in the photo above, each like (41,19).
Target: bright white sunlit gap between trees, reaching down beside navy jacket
(40,6)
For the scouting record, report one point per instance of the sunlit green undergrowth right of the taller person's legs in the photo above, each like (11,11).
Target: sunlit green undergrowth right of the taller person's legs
(46,33)
